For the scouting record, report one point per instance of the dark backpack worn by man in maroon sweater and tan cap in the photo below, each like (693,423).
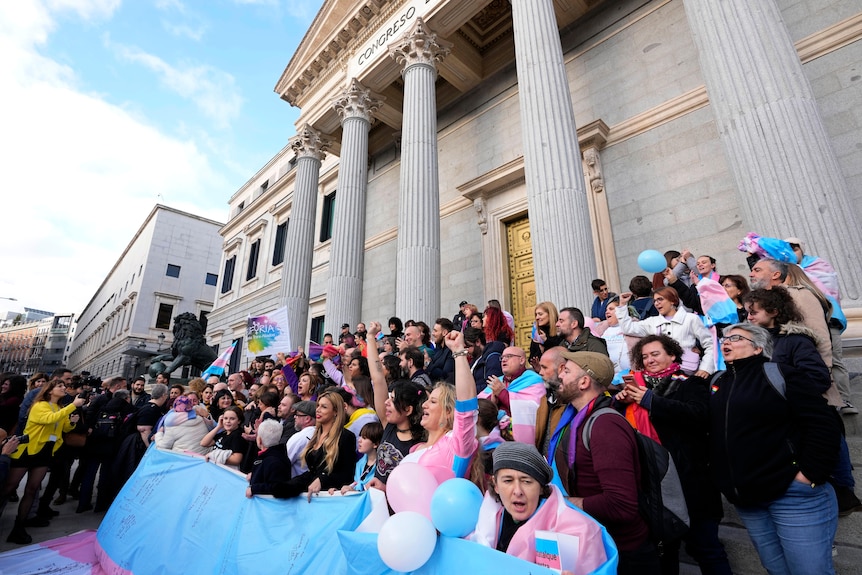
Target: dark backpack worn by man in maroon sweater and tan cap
(660,498)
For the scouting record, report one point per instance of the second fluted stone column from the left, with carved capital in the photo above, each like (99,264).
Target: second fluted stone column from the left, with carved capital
(344,297)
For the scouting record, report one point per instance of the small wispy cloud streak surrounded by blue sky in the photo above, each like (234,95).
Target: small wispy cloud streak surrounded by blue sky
(212,90)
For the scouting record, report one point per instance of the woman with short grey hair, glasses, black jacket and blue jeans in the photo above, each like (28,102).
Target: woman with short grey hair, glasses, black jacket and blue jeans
(772,451)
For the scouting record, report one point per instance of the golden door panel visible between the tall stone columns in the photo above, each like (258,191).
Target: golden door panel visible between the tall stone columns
(521,279)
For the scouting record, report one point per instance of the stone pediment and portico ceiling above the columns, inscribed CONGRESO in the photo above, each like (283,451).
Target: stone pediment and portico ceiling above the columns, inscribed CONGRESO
(348,40)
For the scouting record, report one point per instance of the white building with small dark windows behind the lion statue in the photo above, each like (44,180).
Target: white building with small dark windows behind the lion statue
(171,266)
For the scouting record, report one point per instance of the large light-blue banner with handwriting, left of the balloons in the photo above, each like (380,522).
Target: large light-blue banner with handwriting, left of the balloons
(180,514)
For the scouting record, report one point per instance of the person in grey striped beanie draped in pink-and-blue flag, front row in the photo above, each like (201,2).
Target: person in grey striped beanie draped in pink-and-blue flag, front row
(521,500)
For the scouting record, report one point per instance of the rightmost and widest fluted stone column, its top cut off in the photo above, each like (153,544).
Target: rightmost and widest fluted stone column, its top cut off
(788,178)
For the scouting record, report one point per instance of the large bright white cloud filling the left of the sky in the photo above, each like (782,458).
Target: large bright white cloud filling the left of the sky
(80,174)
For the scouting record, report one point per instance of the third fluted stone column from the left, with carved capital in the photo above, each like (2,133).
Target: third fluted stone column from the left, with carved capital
(417,291)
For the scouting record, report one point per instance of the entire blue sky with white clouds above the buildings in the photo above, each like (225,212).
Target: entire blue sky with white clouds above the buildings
(108,107)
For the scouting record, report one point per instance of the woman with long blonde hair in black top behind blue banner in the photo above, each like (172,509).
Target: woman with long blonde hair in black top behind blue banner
(330,454)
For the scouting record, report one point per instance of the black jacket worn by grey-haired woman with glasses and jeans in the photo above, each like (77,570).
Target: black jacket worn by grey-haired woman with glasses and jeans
(759,440)
